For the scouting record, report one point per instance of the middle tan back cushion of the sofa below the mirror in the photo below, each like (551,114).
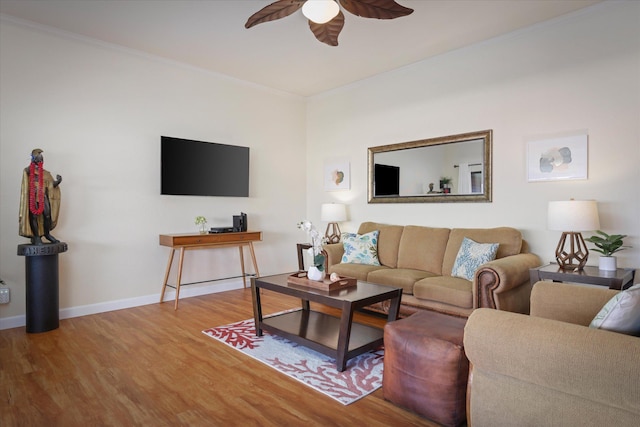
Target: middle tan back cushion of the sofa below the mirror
(422,248)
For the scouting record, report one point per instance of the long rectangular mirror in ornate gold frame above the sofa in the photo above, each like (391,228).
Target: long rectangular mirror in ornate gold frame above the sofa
(455,168)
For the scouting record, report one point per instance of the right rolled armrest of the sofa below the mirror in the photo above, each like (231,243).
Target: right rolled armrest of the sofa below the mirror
(502,276)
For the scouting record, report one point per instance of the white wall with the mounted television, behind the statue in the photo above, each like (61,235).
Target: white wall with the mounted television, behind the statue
(98,113)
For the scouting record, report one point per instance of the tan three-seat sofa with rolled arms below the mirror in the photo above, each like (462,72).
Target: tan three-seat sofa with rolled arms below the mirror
(420,260)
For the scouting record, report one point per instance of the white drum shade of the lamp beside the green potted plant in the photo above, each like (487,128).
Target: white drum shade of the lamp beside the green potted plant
(573,215)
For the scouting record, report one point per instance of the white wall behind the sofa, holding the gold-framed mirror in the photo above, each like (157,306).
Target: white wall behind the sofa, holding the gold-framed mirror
(581,72)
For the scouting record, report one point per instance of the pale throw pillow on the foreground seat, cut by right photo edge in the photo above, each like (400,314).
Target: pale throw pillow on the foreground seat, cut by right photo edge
(621,314)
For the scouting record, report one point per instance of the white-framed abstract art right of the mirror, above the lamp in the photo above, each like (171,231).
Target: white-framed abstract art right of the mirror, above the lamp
(557,158)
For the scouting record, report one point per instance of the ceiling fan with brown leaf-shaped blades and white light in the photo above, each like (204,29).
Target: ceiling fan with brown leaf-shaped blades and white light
(325,17)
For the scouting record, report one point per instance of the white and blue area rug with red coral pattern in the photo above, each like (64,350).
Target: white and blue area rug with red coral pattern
(362,376)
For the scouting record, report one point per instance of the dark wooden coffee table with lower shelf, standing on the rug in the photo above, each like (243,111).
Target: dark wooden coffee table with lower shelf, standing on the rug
(340,338)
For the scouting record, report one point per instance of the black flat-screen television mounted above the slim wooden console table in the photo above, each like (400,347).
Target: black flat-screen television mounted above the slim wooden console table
(198,168)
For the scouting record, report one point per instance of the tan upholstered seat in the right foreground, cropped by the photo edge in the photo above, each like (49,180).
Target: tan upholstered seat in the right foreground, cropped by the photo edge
(549,368)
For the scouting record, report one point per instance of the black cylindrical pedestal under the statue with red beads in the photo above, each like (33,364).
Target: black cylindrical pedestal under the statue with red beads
(41,263)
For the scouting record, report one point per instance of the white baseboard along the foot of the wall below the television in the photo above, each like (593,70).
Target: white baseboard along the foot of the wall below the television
(170,295)
